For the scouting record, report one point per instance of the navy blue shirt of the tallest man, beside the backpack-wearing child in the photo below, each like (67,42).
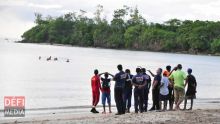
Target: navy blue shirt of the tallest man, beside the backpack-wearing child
(120,79)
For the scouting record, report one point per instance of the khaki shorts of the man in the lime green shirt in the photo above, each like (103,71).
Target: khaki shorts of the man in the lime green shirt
(179,94)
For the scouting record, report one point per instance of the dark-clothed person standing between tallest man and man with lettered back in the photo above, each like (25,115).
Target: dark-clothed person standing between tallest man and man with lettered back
(128,90)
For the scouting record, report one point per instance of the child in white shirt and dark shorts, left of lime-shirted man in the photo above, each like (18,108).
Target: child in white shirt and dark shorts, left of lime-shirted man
(164,91)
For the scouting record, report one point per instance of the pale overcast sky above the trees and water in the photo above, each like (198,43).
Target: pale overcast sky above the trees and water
(17,16)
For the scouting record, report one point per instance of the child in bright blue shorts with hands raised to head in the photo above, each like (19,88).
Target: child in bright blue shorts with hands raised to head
(105,87)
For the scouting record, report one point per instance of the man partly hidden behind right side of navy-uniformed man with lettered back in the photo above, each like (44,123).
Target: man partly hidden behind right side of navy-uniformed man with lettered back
(146,88)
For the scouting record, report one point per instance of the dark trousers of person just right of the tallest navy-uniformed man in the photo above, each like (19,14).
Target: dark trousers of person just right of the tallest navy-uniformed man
(127,98)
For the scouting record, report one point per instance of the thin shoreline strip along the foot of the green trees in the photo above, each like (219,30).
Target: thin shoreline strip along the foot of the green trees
(180,52)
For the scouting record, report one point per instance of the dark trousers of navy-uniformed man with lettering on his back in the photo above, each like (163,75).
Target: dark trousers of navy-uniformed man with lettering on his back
(138,99)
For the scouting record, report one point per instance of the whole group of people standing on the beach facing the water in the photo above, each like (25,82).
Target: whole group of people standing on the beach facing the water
(167,86)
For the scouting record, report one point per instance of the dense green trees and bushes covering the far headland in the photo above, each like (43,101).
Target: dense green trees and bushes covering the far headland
(127,30)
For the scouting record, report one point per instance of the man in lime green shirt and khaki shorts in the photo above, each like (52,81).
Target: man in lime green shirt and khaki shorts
(179,89)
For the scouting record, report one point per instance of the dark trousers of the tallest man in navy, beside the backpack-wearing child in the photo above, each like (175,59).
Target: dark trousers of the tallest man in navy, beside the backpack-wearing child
(119,100)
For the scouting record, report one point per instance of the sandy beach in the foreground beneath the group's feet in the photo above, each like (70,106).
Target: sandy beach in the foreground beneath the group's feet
(202,116)
